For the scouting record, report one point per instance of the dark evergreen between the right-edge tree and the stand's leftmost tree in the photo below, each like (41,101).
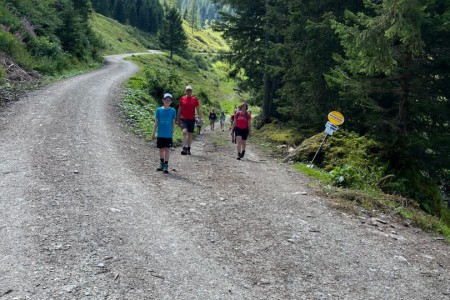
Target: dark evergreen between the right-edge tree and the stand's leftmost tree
(306,56)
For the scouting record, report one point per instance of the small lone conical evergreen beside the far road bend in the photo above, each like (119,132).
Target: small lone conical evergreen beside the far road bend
(172,35)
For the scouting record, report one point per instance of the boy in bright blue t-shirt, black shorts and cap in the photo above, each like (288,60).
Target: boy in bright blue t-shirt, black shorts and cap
(165,124)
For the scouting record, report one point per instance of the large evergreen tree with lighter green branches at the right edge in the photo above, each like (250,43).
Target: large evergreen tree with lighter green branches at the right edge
(394,76)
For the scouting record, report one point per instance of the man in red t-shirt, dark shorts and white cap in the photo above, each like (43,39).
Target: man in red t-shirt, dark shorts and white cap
(186,118)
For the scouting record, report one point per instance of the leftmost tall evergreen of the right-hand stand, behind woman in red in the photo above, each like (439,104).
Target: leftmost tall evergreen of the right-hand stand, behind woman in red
(248,33)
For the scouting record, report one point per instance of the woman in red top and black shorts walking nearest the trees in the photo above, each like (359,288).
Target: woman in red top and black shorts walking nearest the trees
(242,126)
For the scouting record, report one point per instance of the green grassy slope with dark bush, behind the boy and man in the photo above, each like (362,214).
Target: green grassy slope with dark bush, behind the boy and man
(160,74)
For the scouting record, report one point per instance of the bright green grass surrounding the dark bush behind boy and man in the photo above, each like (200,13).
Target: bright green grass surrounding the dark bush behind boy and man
(139,106)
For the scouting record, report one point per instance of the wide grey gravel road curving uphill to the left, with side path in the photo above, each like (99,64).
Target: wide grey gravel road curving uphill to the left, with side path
(84,215)
